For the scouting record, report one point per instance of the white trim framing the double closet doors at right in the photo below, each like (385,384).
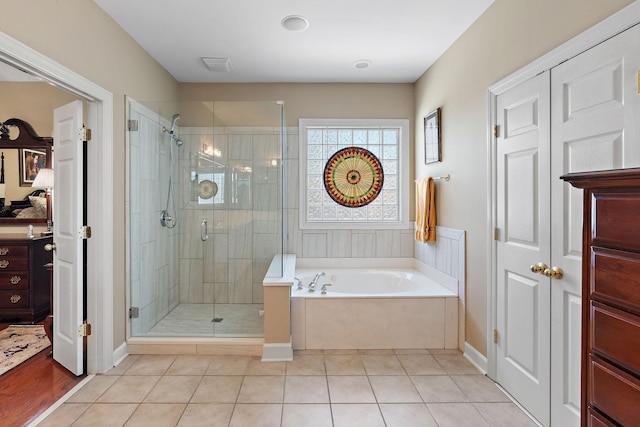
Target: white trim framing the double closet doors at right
(609,27)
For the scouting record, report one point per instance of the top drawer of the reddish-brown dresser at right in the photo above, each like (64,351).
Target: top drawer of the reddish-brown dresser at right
(615,219)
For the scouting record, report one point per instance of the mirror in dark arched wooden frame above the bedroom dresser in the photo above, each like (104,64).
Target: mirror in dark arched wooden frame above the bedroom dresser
(22,154)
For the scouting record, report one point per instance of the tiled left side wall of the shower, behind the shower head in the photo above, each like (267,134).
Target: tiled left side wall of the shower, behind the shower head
(153,265)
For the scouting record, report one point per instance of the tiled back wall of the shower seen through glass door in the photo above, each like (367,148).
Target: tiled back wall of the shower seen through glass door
(243,237)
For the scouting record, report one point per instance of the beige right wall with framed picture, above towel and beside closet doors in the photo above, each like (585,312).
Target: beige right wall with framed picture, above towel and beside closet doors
(509,35)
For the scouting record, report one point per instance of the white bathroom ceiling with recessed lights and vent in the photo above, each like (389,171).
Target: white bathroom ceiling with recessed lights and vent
(401,38)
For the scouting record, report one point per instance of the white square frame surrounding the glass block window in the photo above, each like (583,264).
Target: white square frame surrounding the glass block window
(403,176)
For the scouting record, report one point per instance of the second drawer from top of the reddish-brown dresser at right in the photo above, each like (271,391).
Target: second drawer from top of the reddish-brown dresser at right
(615,276)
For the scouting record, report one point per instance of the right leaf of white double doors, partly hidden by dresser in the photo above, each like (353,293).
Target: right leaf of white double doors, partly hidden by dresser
(595,126)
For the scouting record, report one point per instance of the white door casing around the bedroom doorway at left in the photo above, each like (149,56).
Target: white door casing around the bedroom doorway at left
(100,186)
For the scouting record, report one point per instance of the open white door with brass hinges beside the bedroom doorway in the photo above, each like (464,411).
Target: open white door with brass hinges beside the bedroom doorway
(68,256)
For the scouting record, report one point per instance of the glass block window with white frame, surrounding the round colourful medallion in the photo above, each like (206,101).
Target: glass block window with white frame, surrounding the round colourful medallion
(386,139)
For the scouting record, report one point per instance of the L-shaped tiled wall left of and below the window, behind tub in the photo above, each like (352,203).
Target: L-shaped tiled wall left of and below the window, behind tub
(339,243)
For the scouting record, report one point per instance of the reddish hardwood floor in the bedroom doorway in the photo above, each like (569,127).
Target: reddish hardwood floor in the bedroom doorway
(29,389)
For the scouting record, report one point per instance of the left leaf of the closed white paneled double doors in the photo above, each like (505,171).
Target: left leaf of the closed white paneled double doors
(523,296)
